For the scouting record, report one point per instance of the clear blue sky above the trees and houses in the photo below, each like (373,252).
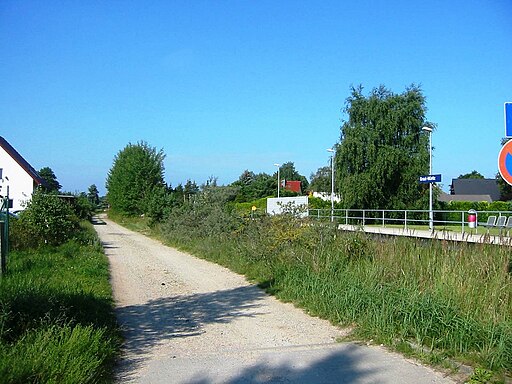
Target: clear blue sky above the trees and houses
(224,86)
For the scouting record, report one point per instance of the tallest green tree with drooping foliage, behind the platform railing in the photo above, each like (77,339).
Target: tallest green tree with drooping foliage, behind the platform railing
(383,150)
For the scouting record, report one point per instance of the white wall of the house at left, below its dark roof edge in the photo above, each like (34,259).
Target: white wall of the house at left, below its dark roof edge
(21,184)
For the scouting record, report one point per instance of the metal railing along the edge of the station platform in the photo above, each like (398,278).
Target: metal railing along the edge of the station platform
(406,218)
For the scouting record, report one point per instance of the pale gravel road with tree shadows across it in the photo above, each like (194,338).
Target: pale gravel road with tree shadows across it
(190,321)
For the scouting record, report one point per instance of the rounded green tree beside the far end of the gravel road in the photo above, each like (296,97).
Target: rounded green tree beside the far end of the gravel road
(137,172)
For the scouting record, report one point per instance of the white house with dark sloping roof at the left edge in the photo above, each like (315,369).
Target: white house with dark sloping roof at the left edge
(17,174)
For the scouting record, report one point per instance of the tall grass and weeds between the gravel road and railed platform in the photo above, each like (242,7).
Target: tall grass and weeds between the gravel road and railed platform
(446,299)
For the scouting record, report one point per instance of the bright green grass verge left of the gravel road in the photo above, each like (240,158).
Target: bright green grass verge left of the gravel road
(57,323)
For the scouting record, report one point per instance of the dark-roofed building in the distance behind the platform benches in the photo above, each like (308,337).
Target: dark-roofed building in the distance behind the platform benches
(472,190)
